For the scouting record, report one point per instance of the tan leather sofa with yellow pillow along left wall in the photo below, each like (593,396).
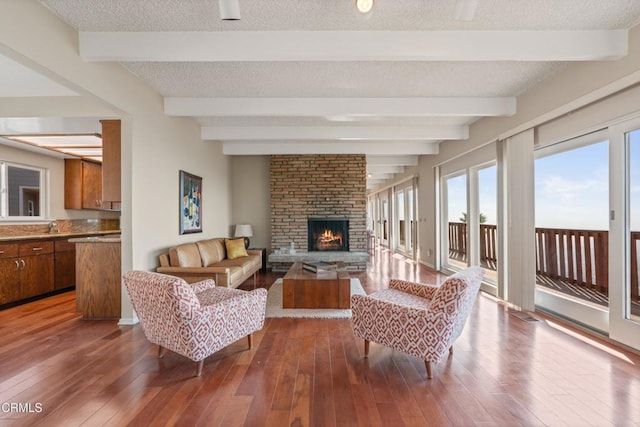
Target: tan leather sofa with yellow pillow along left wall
(207,259)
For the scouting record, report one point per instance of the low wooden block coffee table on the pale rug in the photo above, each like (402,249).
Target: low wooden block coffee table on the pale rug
(304,289)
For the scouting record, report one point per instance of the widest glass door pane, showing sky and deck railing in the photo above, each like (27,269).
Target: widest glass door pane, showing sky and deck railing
(572,224)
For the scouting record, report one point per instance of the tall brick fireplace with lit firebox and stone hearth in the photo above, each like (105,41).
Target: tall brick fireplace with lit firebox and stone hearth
(329,187)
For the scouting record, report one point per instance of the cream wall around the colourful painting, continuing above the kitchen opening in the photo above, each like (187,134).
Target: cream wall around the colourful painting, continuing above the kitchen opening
(154,147)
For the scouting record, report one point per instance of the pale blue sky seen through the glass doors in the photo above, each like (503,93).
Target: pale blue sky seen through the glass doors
(571,189)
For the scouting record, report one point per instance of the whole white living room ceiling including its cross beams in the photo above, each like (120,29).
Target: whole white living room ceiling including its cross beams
(315,76)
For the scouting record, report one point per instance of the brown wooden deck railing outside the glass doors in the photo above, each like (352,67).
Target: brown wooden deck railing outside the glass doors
(576,256)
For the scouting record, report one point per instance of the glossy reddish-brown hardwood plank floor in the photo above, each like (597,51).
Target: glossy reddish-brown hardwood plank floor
(310,372)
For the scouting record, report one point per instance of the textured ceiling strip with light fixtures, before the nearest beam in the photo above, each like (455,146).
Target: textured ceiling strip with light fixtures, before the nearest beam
(331,15)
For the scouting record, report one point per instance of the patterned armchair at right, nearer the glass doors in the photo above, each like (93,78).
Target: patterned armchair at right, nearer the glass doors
(417,319)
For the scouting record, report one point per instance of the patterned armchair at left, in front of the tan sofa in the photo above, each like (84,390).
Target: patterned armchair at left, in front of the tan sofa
(194,320)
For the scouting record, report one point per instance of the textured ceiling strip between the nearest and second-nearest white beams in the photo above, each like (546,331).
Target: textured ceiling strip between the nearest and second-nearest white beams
(342,79)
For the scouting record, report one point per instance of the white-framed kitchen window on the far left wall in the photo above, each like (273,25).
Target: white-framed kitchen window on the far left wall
(22,191)
